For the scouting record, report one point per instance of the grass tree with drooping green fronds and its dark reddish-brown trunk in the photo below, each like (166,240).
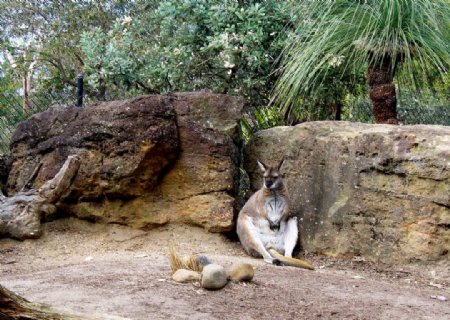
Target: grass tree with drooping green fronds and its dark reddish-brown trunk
(405,41)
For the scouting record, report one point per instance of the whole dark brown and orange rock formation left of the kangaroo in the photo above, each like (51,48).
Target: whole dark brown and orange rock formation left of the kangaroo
(144,162)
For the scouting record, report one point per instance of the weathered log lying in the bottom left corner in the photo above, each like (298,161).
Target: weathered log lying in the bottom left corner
(14,307)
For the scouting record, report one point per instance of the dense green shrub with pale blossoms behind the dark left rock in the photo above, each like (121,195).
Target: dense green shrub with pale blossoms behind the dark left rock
(180,45)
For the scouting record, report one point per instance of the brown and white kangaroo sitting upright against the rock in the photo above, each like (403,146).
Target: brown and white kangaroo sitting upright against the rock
(264,223)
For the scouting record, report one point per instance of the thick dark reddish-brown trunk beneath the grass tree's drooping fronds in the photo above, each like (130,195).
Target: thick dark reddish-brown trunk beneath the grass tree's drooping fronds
(382,91)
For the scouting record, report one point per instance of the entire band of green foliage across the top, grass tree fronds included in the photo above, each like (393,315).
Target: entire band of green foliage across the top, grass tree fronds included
(126,48)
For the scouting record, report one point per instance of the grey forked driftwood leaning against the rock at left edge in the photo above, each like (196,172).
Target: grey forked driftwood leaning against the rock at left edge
(20,215)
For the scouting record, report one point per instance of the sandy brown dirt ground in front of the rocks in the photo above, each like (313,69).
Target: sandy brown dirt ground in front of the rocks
(119,271)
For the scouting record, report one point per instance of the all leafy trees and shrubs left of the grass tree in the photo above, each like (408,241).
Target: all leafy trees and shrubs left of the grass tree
(126,48)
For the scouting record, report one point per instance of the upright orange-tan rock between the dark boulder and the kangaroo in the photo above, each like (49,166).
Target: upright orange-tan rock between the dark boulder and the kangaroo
(202,182)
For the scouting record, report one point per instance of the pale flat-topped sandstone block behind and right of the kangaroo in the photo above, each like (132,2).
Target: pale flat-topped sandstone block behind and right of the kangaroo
(379,191)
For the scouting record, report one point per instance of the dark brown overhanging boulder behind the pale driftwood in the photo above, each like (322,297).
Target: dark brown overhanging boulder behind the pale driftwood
(124,146)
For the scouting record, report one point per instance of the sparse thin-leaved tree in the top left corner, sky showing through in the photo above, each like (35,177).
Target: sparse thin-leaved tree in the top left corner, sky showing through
(48,34)
